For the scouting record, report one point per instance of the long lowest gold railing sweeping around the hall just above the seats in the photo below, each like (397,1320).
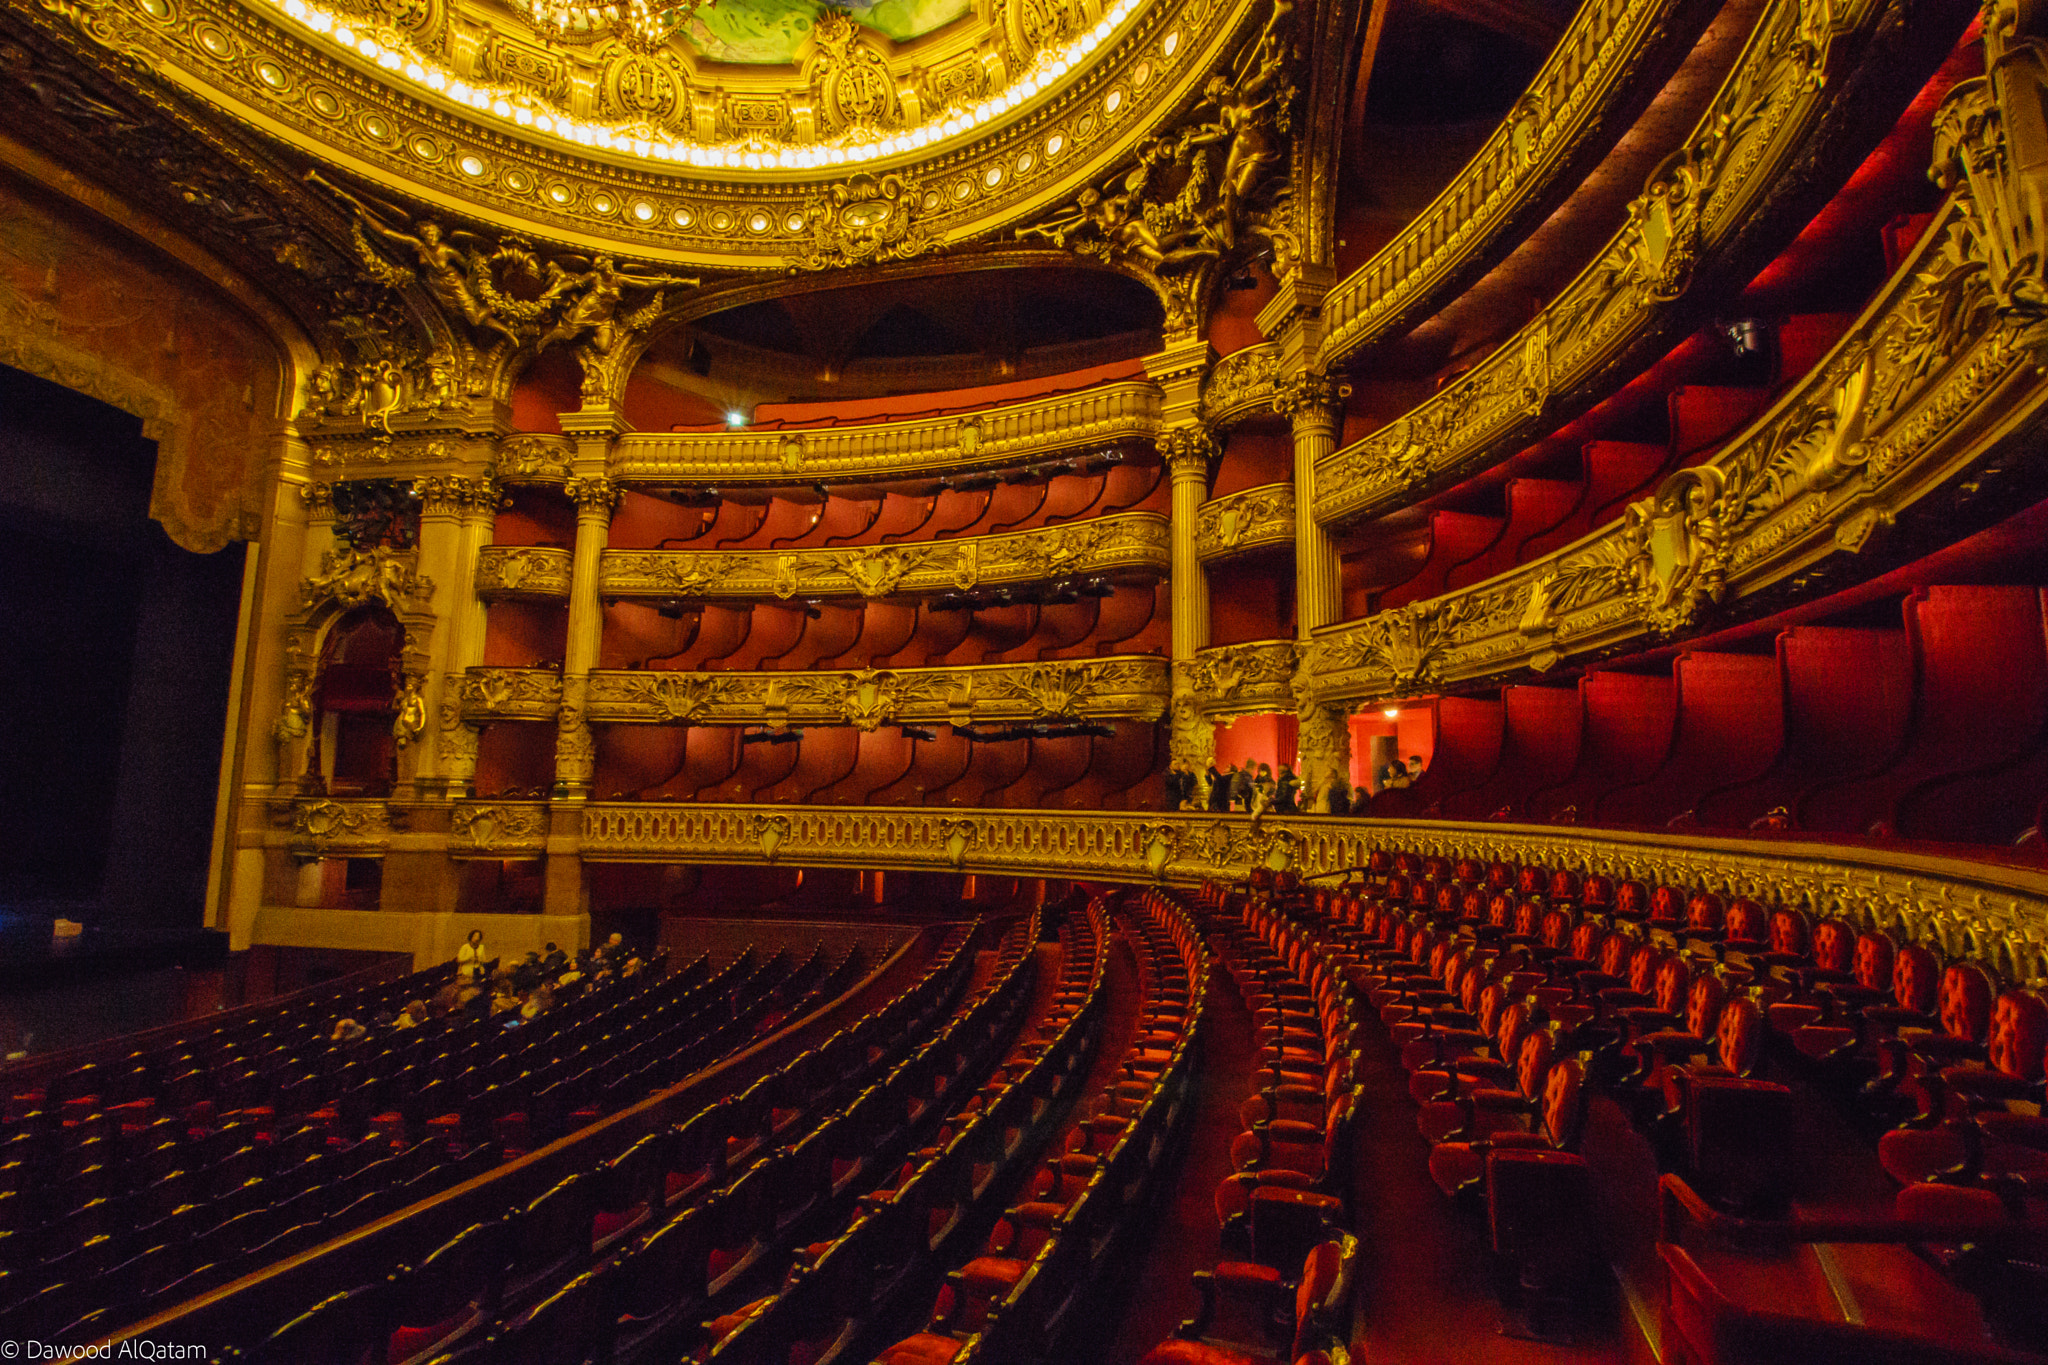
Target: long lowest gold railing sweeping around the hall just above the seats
(1994,912)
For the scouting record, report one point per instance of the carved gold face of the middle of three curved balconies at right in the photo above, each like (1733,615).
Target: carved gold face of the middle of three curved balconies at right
(1705,195)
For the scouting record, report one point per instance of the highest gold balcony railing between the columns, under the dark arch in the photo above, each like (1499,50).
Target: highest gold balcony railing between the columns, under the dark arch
(1119,416)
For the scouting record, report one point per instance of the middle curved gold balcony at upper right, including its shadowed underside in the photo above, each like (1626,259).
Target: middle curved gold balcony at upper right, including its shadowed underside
(1791,99)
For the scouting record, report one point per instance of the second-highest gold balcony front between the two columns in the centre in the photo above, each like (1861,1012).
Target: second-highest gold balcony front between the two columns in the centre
(1121,545)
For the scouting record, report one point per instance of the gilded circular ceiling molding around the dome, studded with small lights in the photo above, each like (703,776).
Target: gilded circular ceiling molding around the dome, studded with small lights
(482,146)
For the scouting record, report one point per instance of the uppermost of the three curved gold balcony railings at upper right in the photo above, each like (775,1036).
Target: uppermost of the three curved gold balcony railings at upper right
(1590,73)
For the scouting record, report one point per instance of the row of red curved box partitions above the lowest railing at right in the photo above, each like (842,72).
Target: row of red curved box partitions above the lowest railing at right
(1932,732)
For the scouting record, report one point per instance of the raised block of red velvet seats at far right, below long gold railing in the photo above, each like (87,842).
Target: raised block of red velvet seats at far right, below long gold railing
(1725,1034)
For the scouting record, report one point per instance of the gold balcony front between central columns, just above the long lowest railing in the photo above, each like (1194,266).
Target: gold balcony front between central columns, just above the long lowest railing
(1109,689)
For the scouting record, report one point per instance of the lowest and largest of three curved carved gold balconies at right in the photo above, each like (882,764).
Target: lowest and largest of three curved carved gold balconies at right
(1928,400)
